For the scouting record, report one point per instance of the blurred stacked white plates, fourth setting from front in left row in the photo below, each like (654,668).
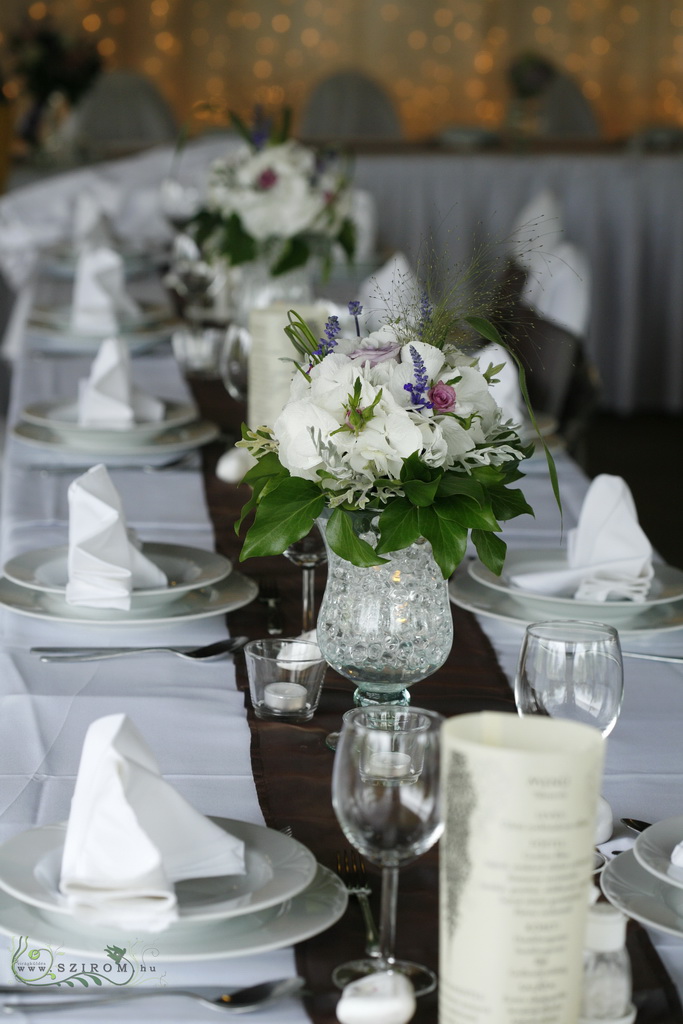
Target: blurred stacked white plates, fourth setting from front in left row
(51,328)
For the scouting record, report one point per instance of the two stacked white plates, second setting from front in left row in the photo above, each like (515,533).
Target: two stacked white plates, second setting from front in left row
(201,584)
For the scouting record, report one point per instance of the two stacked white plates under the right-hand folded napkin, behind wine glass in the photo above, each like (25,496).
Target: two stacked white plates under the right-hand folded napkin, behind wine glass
(476,588)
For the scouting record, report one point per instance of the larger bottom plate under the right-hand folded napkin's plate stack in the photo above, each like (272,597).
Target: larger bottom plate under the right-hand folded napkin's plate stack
(475,596)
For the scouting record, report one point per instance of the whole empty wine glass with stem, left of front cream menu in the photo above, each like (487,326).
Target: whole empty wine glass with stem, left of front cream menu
(386,792)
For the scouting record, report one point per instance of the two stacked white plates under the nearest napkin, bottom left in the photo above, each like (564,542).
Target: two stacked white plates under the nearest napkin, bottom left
(284,898)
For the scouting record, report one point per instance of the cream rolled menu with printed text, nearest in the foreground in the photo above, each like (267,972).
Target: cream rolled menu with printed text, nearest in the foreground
(521,798)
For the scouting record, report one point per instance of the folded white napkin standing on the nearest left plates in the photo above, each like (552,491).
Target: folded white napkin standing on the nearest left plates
(131,835)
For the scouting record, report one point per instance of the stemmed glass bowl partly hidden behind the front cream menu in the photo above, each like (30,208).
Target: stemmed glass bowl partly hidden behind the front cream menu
(572,670)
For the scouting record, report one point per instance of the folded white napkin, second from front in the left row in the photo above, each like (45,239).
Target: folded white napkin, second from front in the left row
(105,566)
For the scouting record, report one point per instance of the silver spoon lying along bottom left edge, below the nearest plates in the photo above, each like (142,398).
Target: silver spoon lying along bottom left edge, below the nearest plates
(240,1002)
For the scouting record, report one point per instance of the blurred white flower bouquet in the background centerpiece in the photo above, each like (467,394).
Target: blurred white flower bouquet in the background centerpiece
(275,200)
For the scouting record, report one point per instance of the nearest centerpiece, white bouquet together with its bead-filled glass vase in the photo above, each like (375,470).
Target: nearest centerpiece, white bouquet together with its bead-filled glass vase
(396,446)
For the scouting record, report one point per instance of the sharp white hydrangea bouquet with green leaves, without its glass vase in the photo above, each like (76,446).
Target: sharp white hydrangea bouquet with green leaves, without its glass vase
(402,422)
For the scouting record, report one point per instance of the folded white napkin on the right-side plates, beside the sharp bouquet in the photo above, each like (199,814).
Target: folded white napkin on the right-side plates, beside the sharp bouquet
(609,556)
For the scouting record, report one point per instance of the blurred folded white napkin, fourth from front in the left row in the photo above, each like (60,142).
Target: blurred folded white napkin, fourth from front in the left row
(101,303)
